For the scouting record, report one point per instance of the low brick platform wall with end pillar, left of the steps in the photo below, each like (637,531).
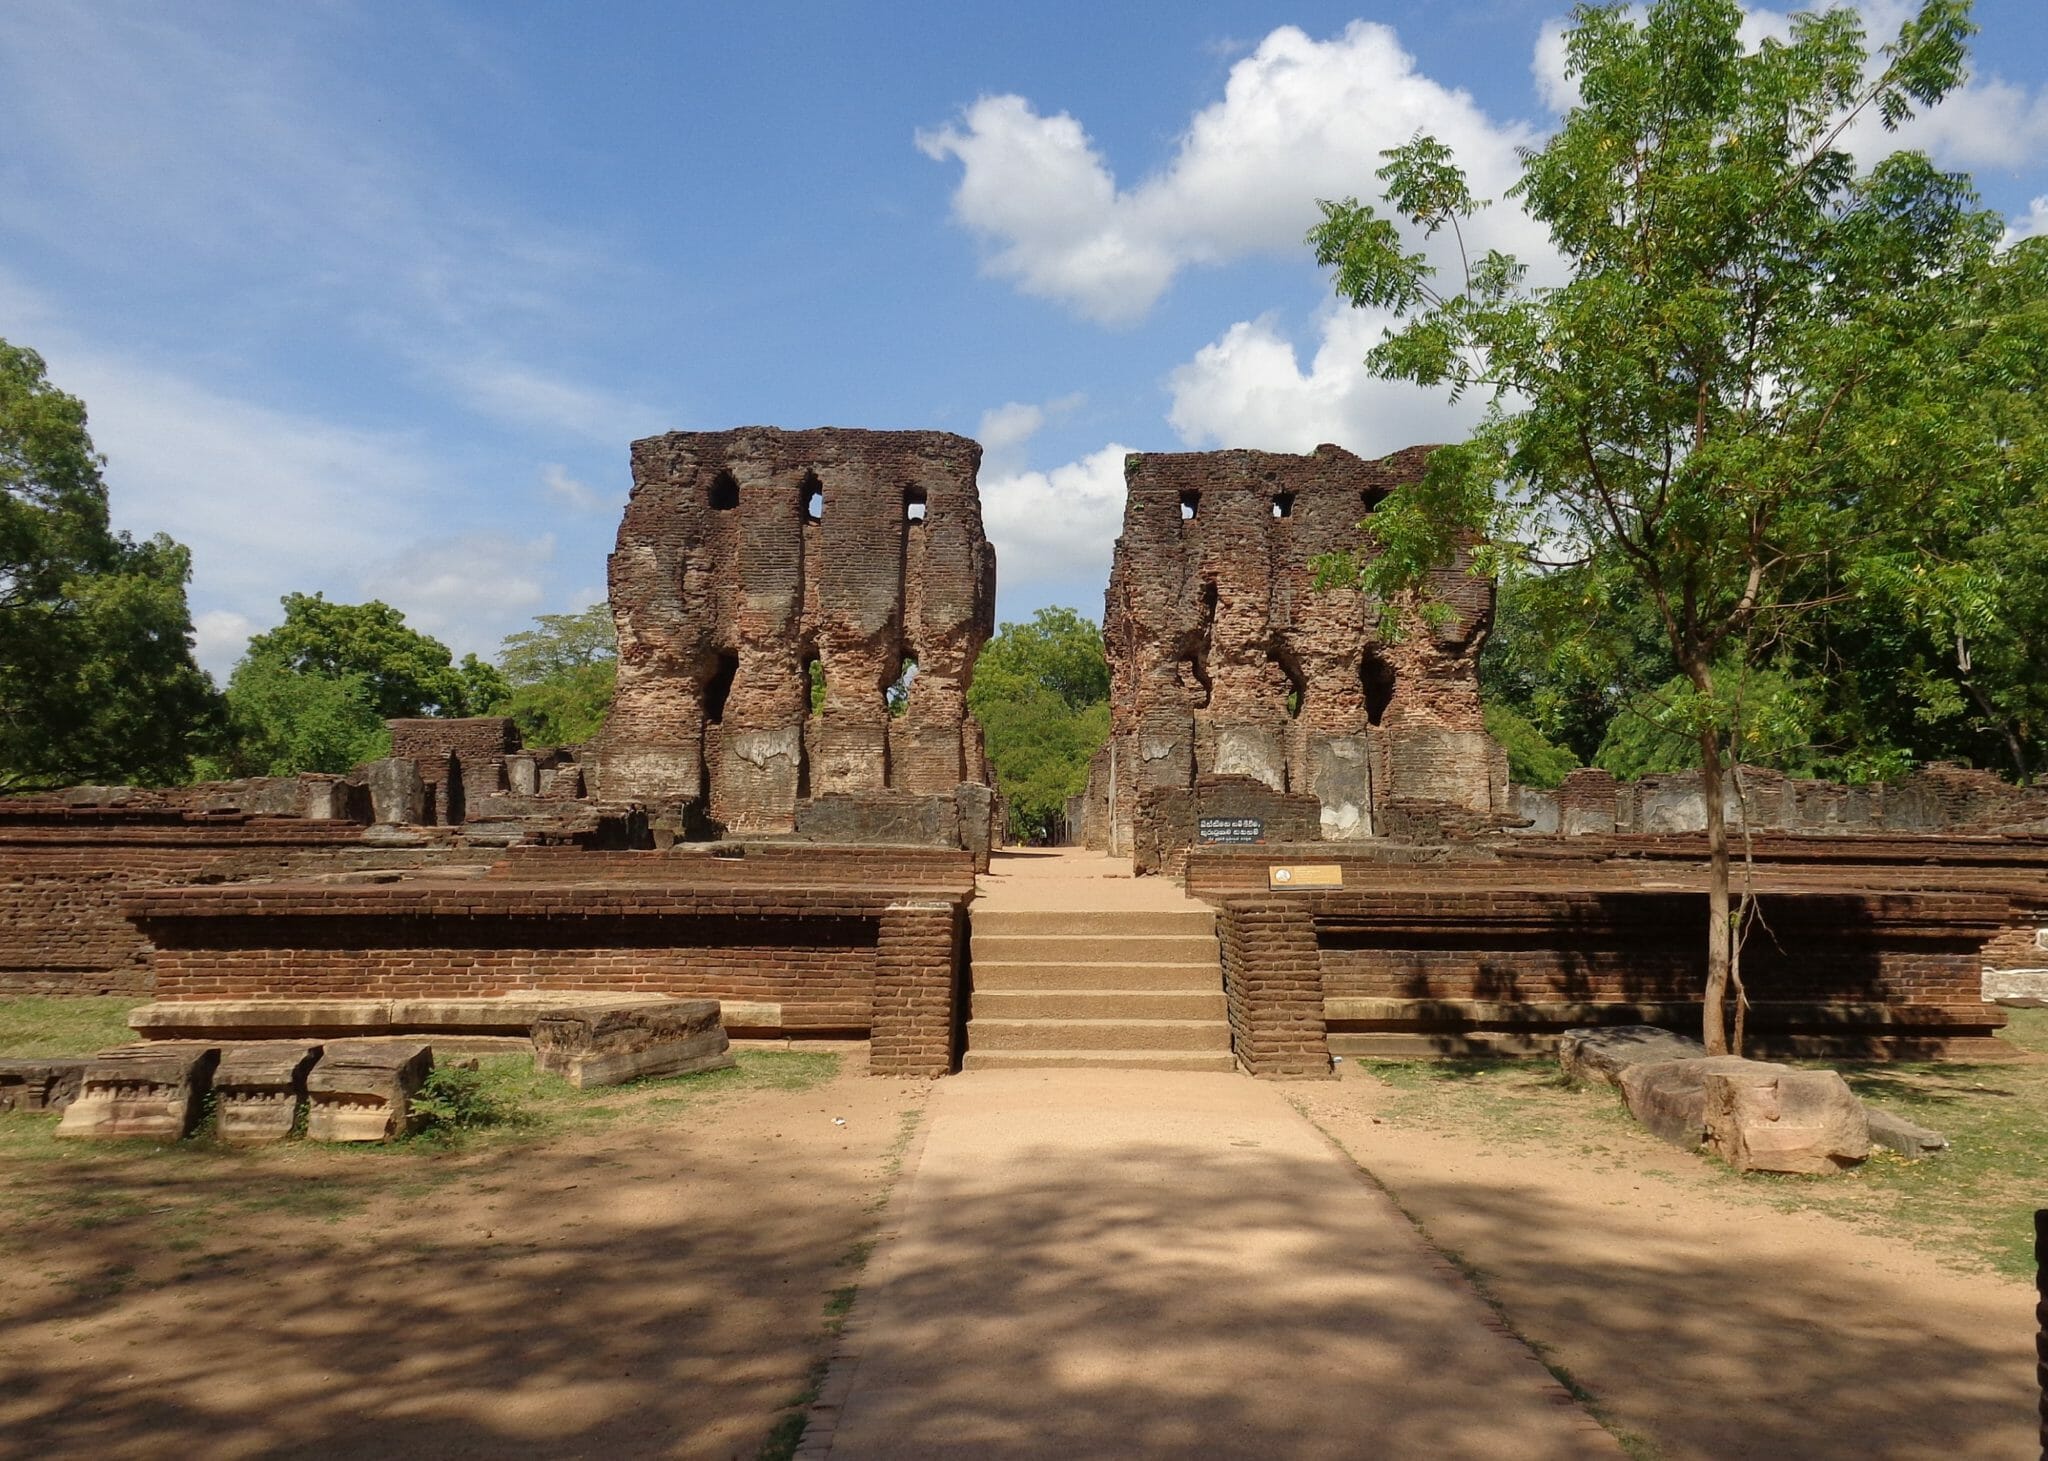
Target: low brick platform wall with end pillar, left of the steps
(822,958)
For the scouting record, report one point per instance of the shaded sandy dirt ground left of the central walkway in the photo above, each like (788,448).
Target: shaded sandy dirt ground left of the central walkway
(652,1288)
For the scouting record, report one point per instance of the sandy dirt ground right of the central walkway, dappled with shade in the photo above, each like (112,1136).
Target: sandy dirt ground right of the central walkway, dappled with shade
(1715,1329)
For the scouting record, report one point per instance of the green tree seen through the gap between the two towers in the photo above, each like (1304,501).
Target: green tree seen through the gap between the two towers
(1043,700)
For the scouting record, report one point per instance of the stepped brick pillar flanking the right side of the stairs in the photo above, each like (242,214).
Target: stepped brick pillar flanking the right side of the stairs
(1273,983)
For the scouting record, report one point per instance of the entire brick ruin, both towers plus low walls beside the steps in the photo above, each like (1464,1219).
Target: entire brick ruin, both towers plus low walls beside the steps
(814,868)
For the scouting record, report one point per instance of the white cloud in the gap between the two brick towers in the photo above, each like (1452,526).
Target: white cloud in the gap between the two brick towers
(1056,526)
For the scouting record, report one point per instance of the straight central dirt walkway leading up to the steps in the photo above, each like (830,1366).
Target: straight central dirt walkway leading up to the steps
(1140,1265)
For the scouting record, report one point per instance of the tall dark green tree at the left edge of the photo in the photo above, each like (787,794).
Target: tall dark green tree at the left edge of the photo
(97,675)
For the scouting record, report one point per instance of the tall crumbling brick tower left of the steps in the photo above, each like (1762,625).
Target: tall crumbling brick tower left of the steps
(749,556)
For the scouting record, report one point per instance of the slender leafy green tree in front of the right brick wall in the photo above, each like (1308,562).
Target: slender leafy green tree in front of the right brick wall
(1752,368)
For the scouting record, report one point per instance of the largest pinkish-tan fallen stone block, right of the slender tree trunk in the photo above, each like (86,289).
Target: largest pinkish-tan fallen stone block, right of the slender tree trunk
(1783,1120)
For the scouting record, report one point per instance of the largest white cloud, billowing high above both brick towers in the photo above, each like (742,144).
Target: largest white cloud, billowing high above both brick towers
(1299,120)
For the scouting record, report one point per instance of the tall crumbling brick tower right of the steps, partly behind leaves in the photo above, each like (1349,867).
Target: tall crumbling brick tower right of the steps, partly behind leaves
(1226,661)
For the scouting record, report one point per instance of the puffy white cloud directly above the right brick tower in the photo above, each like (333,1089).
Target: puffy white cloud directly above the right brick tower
(1248,388)
